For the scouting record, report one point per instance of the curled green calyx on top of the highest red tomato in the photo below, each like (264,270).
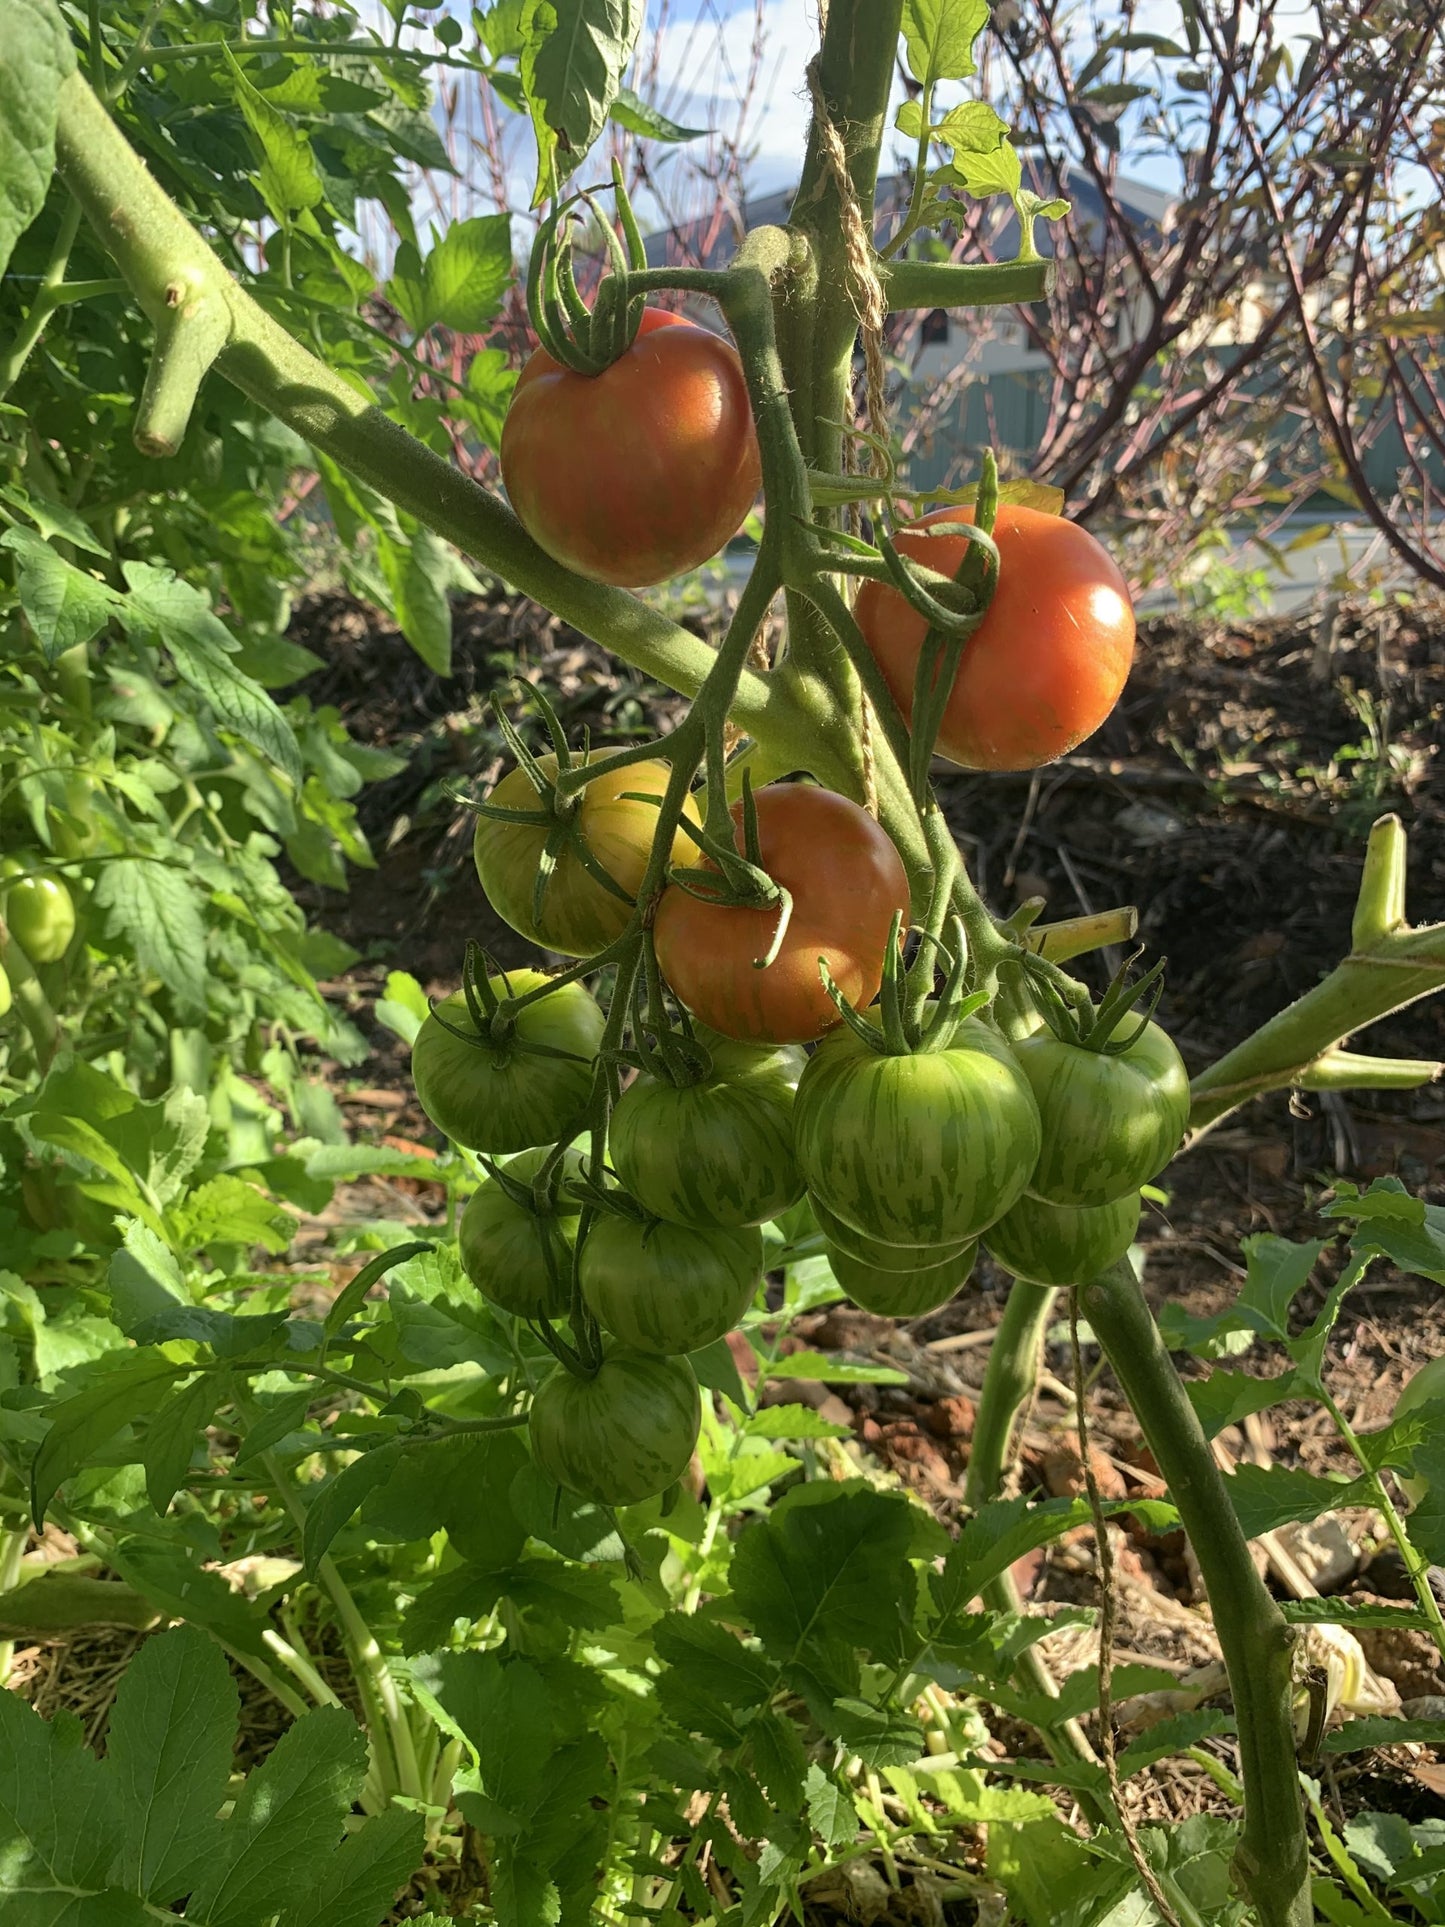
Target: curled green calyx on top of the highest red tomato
(587,340)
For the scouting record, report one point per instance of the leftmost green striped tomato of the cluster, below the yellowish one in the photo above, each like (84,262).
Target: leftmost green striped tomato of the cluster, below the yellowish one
(510,1097)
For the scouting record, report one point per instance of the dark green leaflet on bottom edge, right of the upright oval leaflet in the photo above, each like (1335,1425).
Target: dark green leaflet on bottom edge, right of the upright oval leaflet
(290,1810)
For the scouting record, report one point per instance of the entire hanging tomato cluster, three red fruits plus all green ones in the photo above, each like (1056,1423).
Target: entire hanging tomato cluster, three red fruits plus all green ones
(905,1157)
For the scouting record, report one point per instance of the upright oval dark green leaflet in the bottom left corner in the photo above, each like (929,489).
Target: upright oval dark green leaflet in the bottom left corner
(169,1756)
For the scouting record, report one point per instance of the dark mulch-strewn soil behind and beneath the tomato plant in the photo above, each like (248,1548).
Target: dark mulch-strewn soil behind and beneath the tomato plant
(1228,799)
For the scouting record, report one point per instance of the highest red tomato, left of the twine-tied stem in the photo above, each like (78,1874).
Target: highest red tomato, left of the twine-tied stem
(639,473)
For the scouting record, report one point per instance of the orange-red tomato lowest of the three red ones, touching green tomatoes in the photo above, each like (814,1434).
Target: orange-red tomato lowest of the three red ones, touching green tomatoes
(847,884)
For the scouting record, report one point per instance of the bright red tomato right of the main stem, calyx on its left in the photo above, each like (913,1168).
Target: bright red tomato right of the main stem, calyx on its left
(1051,656)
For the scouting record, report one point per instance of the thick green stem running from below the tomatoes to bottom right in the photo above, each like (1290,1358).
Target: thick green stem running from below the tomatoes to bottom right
(1273,1857)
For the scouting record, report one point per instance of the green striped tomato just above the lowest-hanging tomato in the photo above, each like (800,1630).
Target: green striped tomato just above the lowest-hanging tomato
(668,1288)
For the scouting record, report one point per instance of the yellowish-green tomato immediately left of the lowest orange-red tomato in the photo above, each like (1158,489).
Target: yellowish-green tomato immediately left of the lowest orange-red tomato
(565,905)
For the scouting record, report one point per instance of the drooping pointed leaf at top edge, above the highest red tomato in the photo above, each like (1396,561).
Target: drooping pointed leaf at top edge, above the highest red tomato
(573,61)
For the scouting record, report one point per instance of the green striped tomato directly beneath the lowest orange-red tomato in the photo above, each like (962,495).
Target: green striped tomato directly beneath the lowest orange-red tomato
(720,1151)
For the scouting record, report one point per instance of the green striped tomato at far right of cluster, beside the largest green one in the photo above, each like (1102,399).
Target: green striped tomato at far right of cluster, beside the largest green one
(1111,1122)
